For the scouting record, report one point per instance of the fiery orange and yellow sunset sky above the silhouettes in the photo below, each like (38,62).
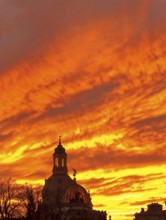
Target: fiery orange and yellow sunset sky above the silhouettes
(92,71)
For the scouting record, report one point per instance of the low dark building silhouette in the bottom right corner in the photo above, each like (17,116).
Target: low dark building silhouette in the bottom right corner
(154,212)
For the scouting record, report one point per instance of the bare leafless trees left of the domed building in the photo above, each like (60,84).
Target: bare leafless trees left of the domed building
(17,200)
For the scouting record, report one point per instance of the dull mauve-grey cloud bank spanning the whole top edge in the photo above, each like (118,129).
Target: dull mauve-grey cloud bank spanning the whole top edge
(28,27)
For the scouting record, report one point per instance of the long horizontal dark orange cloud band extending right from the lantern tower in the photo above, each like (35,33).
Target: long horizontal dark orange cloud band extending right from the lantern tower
(114,159)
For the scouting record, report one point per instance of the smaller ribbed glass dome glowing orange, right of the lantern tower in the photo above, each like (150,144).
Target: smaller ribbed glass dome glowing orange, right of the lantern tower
(76,193)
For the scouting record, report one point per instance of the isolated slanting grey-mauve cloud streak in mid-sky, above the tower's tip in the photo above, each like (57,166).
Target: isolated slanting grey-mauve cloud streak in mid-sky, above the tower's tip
(85,99)
